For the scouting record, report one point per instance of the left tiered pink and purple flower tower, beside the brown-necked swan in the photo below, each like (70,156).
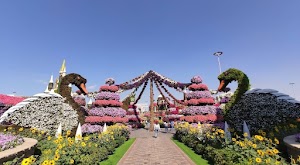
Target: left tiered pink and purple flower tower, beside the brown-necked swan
(107,106)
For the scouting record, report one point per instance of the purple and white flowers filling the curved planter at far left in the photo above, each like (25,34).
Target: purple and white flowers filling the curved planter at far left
(8,141)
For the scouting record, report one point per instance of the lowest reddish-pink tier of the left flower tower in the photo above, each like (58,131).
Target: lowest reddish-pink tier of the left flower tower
(98,119)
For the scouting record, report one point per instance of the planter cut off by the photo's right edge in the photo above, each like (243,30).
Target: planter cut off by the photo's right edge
(293,147)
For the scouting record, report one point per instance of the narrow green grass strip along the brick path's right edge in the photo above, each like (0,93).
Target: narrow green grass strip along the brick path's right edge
(197,159)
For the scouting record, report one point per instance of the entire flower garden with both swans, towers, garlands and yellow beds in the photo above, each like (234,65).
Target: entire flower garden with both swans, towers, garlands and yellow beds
(257,121)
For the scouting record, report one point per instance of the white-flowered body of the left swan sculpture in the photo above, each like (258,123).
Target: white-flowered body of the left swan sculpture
(45,114)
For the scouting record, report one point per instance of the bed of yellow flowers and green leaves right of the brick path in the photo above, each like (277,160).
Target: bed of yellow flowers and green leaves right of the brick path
(211,143)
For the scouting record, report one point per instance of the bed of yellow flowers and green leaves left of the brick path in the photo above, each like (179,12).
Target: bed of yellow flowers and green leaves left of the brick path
(65,149)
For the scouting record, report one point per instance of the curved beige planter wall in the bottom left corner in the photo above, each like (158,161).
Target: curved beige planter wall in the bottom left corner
(27,148)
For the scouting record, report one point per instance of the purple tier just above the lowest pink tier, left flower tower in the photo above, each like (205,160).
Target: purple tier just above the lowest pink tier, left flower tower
(109,111)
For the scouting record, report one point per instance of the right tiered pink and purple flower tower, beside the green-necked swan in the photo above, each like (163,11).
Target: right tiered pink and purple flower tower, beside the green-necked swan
(200,104)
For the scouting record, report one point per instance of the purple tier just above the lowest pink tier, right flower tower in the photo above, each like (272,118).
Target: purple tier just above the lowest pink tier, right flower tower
(201,110)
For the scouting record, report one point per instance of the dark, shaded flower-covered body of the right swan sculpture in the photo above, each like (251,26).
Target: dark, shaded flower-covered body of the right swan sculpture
(263,109)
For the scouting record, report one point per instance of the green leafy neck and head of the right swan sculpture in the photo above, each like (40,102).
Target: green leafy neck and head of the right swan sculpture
(243,85)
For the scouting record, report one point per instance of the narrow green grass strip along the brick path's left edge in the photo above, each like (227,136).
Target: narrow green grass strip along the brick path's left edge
(118,154)
